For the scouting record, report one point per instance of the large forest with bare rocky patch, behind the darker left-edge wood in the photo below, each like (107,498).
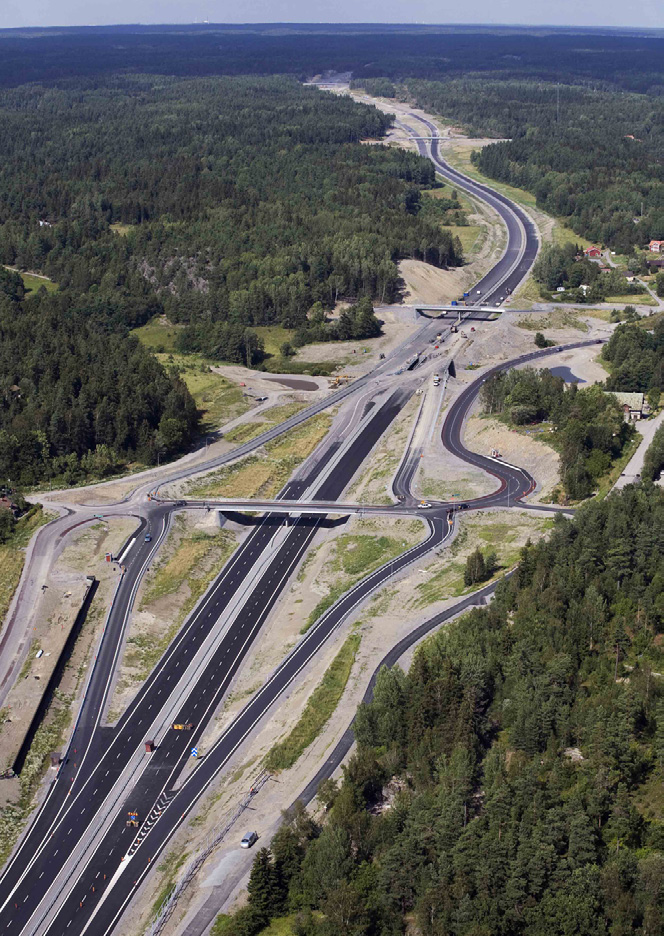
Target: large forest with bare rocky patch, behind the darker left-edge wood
(241,200)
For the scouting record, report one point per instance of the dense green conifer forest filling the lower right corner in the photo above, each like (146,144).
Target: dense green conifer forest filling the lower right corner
(510,783)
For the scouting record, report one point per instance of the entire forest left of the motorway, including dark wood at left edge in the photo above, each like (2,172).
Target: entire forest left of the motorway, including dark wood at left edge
(223,203)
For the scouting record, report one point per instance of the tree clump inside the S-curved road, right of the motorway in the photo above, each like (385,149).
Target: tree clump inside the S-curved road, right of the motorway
(588,427)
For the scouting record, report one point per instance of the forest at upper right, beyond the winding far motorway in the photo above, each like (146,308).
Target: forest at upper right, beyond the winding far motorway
(593,156)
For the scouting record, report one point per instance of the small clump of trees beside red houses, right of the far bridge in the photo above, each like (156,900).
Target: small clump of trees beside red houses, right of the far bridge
(565,266)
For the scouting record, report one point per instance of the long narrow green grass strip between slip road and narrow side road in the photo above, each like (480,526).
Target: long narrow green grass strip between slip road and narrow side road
(318,710)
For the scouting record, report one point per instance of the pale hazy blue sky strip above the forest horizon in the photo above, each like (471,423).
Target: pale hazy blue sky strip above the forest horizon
(528,12)
